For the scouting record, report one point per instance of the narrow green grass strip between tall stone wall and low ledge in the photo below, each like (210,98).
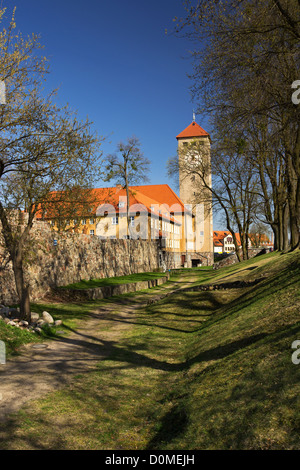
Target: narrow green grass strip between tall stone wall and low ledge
(112,281)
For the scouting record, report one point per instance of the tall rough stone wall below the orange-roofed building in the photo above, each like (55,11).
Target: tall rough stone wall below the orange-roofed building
(62,259)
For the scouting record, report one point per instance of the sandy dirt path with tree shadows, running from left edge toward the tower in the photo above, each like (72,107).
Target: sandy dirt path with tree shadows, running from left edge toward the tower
(47,366)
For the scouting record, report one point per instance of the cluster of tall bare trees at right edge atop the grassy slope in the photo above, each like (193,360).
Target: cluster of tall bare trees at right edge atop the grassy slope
(245,61)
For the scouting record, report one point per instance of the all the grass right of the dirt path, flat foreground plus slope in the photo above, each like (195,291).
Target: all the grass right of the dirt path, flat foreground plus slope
(197,370)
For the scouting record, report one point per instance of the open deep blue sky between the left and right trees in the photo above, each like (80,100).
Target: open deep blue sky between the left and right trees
(114,63)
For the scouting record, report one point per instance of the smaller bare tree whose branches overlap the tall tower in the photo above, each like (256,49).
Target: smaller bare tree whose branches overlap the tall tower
(233,189)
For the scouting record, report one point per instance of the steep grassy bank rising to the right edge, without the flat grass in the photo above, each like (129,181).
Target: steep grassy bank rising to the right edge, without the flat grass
(241,389)
